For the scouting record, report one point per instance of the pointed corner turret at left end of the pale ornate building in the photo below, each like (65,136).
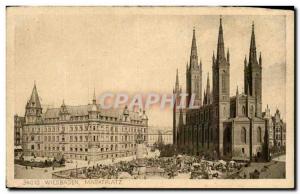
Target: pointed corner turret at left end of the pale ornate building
(33,110)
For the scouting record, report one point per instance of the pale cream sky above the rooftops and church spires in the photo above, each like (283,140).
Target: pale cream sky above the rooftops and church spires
(70,54)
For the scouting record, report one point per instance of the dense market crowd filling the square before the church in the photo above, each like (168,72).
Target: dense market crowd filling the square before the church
(193,166)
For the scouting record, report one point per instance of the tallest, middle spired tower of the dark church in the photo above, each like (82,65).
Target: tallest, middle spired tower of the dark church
(221,99)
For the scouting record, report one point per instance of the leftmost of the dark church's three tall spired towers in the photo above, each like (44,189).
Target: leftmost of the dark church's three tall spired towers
(194,75)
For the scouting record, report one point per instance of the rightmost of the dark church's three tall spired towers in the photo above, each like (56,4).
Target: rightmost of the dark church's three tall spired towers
(253,76)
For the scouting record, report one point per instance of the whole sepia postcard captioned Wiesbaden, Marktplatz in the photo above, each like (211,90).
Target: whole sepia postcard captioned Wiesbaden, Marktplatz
(150,97)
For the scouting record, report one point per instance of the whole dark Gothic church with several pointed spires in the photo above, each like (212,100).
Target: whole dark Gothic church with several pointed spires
(232,126)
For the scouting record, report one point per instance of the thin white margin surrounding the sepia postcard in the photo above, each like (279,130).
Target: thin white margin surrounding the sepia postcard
(5,3)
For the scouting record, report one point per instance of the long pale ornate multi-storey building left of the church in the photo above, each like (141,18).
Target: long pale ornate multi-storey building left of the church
(84,132)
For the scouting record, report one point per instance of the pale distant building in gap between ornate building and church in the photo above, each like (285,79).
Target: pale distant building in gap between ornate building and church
(158,135)
